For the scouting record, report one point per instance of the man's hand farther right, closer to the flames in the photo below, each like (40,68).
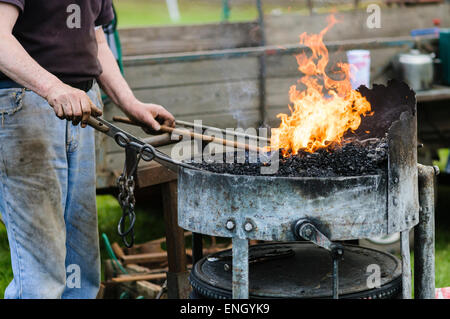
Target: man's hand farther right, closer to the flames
(150,115)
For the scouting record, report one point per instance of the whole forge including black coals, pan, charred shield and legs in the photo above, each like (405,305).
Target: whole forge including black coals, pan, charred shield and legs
(372,189)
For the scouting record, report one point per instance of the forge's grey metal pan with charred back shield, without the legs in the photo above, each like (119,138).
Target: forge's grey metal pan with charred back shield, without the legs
(350,205)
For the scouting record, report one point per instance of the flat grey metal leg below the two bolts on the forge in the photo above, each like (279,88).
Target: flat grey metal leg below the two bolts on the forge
(240,268)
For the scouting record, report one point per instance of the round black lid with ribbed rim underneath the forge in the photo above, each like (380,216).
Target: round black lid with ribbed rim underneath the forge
(301,270)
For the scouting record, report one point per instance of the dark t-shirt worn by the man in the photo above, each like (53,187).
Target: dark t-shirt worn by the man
(60,35)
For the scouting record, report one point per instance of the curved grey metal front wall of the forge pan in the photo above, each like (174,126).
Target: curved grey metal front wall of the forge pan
(341,208)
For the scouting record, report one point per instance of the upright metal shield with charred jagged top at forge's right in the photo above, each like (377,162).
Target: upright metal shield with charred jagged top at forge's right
(395,114)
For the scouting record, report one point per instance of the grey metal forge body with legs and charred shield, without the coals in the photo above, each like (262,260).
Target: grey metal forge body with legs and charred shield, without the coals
(322,209)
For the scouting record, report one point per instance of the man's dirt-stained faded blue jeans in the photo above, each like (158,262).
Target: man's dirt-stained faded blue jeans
(47,199)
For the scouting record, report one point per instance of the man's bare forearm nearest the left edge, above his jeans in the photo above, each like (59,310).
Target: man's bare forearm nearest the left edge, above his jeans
(19,66)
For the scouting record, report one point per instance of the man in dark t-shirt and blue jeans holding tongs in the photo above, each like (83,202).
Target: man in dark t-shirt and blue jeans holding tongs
(51,53)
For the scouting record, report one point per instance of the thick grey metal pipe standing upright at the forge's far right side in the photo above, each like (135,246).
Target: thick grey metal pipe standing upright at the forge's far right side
(424,268)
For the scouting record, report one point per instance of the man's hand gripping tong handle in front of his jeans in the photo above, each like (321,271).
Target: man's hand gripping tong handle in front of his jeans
(71,104)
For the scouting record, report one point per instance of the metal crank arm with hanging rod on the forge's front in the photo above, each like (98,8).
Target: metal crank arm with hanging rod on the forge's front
(304,229)
